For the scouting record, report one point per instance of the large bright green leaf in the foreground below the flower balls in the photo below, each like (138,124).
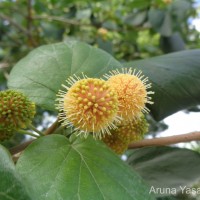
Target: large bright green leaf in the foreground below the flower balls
(54,168)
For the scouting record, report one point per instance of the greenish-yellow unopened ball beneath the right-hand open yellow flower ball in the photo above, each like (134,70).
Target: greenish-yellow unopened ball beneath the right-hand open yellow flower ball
(130,131)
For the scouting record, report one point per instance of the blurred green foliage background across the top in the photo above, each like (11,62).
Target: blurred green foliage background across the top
(128,29)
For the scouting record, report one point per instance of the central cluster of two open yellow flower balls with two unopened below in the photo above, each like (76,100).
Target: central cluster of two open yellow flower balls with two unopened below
(110,109)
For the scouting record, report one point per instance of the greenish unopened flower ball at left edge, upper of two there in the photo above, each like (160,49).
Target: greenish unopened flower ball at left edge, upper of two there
(16,111)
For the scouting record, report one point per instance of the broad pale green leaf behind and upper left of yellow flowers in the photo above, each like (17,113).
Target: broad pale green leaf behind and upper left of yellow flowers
(42,72)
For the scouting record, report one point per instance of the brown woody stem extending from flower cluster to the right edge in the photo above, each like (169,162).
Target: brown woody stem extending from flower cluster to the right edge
(193,136)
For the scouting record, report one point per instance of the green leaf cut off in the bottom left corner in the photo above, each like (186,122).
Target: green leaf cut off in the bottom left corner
(11,187)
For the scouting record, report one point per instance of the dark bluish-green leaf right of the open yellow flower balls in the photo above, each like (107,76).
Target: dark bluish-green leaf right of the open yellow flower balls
(176,80)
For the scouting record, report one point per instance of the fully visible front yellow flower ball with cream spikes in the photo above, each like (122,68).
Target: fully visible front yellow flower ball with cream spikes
(89,105)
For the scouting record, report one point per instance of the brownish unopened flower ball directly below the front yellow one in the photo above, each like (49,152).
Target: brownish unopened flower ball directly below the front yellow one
(115,142)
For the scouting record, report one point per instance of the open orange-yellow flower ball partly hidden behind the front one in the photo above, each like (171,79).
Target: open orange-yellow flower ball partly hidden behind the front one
(131,88)
